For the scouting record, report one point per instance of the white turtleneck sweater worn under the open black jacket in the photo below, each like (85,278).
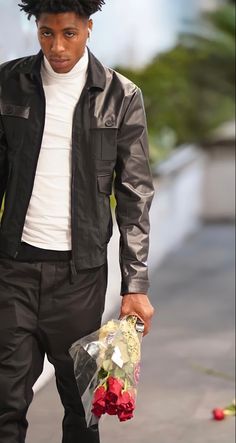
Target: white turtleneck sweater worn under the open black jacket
(48,219)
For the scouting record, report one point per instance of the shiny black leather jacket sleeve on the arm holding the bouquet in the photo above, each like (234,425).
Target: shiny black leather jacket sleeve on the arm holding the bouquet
(134,192)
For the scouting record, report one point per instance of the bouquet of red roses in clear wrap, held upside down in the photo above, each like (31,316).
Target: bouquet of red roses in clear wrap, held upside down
(107,367)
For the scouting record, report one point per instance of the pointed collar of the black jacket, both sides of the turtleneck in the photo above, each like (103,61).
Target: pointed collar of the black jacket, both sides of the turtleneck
(96,72)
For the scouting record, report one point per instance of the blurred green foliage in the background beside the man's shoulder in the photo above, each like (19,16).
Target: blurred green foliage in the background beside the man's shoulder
(189,90)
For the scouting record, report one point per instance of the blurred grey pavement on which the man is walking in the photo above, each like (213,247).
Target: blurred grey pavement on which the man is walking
(187,359)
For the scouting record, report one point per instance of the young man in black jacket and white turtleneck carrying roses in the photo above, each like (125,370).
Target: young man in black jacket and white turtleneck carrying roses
(68,125)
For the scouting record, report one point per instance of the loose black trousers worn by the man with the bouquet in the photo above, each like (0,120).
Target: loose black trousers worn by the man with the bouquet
(42,311)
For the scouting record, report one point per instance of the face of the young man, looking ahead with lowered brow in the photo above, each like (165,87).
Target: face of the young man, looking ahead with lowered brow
(63,38)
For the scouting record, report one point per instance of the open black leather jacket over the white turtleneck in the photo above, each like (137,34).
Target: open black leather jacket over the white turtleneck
(109,141)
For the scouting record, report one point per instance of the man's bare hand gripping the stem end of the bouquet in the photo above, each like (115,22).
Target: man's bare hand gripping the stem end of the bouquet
(139,305)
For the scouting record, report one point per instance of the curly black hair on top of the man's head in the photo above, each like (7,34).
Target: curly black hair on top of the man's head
(84,8)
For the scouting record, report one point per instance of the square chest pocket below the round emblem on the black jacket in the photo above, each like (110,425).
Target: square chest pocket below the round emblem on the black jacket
(104,143)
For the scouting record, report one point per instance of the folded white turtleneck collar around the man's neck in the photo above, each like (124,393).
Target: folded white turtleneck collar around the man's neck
(79,68)
